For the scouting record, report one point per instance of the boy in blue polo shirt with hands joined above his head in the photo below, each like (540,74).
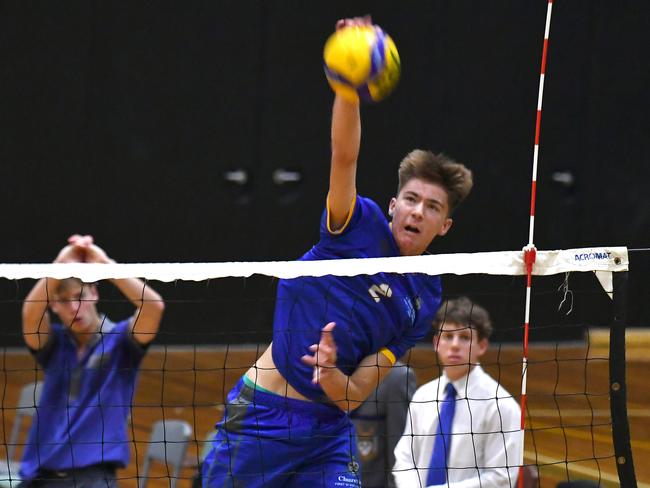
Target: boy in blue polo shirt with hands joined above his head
(79,436)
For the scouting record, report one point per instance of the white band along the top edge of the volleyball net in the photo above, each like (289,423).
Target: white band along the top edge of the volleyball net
(509,263)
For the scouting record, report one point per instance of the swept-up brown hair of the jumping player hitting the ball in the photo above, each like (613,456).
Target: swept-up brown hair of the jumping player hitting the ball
(437,168)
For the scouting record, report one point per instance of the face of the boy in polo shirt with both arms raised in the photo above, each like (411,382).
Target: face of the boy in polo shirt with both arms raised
(76,307)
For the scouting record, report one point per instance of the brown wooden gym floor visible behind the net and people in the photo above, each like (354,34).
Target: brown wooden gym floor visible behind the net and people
(568,433)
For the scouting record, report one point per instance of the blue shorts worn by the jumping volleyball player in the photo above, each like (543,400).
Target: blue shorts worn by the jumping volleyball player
(267,440)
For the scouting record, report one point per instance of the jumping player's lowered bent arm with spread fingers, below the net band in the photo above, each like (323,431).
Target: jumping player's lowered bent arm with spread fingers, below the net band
(347,392)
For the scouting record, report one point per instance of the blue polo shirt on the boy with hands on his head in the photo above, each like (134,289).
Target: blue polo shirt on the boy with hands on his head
(85,402)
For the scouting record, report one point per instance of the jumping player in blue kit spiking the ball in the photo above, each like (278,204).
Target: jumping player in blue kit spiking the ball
(286,422)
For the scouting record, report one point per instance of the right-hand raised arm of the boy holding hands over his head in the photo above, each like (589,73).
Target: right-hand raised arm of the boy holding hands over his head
(149,304)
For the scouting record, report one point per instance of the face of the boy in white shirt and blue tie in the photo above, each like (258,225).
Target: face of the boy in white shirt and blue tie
(458,348)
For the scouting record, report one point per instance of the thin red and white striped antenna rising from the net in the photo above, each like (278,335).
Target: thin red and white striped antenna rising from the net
(530,252)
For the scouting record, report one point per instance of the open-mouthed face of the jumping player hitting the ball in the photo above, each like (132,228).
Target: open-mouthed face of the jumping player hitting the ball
(420,213)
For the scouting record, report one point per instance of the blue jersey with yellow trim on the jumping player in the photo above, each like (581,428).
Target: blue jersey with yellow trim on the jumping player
(386,310)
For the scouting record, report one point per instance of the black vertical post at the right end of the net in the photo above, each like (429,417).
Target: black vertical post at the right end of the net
(617,385)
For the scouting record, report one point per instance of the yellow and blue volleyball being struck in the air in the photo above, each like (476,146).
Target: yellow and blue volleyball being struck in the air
(361,62)
